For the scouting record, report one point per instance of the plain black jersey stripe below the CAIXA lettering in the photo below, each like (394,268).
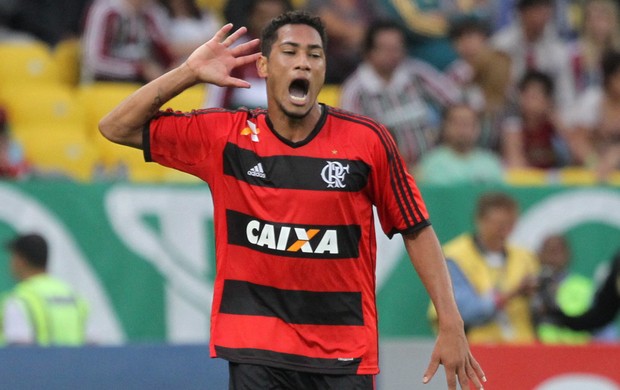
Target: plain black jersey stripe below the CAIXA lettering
(292,306)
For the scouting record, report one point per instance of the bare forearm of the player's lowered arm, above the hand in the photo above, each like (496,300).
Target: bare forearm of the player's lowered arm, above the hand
(427,258)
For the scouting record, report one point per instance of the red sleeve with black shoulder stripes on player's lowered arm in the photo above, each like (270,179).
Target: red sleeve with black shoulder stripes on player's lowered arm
(399,204)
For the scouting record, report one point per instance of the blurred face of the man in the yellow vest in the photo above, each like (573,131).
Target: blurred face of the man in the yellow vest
(496,225)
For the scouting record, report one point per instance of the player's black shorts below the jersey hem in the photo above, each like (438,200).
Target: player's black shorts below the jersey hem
(255,377)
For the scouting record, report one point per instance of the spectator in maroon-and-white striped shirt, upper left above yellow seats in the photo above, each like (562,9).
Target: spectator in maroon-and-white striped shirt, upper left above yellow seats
(124,40)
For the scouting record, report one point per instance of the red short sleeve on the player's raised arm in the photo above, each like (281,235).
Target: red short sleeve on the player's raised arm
(187,141)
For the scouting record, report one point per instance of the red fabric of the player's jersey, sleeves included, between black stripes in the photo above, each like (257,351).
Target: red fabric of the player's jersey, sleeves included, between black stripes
(195,143)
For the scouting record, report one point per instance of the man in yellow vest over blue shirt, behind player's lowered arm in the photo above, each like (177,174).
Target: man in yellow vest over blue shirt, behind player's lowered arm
(493,280)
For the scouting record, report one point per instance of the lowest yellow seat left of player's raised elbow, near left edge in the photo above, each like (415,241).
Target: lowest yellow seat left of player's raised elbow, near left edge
(57,152)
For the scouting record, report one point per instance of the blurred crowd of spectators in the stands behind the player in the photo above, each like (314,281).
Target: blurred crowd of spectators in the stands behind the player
(469,89)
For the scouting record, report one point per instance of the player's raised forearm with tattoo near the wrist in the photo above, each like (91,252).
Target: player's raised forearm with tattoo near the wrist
(124,123)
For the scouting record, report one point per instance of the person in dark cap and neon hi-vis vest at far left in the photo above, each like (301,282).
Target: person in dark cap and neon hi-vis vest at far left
(41,309)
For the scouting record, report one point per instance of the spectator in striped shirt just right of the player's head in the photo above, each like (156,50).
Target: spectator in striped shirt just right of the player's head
(405,94)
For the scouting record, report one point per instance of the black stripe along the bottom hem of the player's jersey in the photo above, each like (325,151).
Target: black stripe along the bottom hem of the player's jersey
(342,366)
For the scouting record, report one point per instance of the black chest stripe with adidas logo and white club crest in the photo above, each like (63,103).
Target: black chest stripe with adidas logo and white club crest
(296,172)
